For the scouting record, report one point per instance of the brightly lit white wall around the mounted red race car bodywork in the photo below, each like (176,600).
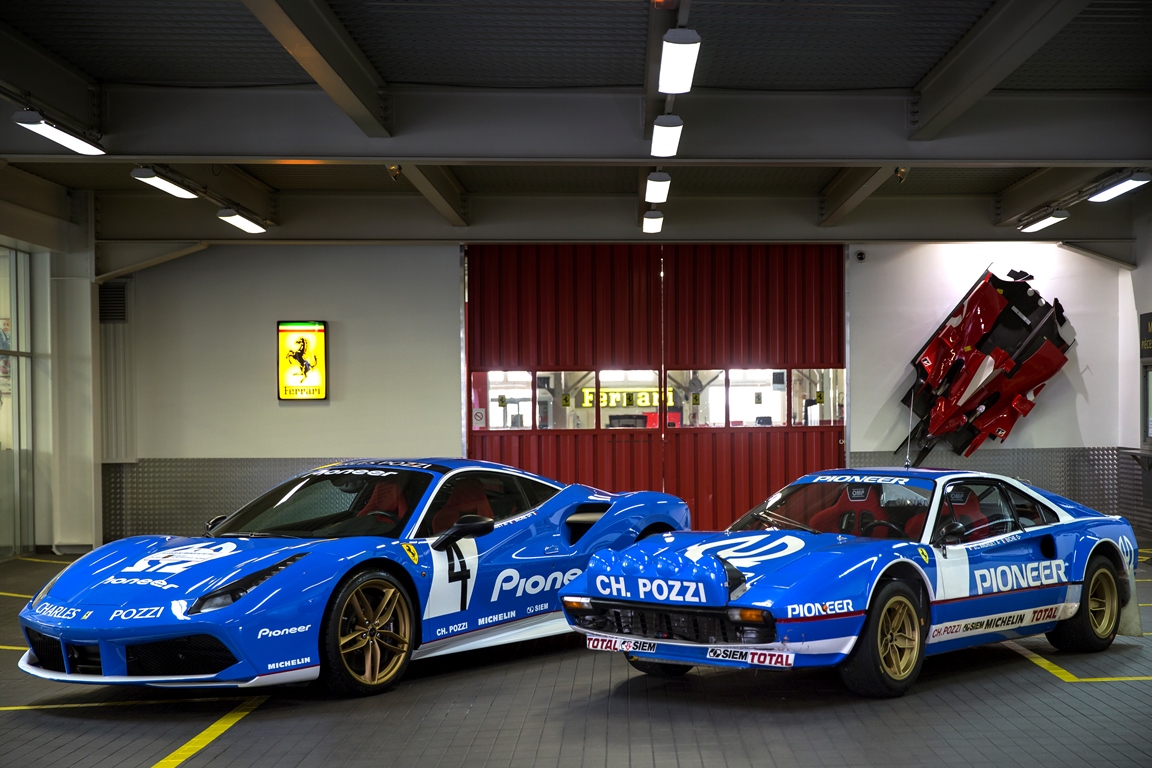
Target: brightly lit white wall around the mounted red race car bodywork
(900,294)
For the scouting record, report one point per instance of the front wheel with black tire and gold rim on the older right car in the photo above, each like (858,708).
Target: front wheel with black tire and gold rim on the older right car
(880,667)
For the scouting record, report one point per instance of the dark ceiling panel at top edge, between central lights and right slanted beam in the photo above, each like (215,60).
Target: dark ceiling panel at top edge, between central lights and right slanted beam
(800,45)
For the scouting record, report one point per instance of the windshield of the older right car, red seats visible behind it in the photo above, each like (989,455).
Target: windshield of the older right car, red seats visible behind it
(878,511)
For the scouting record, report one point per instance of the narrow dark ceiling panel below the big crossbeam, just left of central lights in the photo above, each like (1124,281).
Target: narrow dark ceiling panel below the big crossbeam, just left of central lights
(549,180)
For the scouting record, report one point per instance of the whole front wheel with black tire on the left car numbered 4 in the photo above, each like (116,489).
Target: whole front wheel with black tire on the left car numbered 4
(377,649)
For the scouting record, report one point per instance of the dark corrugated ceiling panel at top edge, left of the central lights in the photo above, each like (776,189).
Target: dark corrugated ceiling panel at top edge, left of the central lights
(502,43)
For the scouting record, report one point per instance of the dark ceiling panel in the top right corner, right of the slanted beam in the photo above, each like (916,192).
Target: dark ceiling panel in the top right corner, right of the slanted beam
(1106,47)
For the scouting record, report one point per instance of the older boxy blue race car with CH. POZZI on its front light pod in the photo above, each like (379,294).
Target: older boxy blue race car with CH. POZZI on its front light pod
(870,571)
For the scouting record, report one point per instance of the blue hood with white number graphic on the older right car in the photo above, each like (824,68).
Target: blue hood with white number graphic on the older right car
(767,561)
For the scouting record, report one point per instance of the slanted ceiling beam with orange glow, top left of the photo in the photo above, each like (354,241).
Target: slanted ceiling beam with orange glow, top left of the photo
(313,35)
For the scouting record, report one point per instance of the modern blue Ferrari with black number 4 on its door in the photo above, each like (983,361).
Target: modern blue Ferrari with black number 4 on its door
(347,572)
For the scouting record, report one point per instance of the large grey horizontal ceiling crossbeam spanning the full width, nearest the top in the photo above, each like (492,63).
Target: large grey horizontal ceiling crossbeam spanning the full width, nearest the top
(598,127)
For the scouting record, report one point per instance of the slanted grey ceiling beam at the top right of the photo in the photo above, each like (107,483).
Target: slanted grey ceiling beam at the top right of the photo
(1005,39)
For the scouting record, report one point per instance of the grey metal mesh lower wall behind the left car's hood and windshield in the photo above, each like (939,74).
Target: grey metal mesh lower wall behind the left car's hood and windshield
(178,496)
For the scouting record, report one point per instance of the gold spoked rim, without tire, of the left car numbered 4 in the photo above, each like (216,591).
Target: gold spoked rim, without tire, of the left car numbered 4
(375,629)
